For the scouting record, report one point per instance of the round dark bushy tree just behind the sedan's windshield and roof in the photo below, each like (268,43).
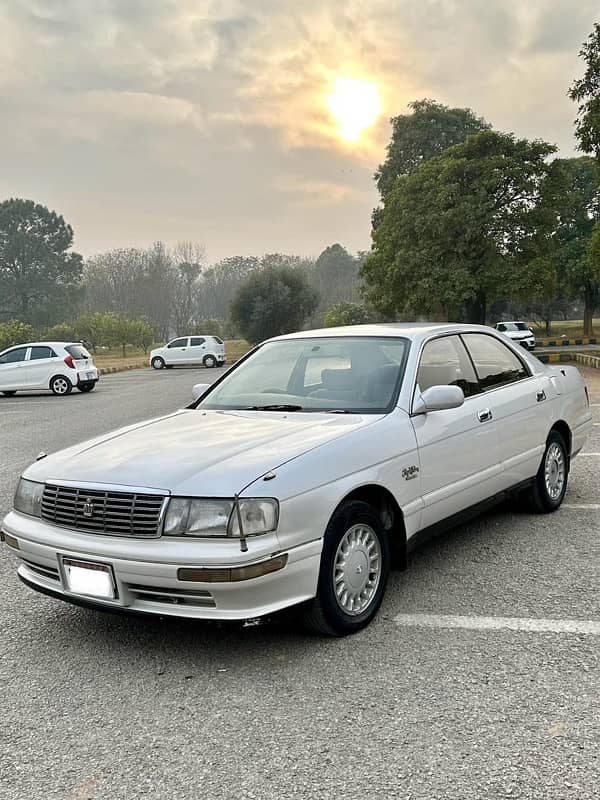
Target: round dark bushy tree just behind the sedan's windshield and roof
(273,301)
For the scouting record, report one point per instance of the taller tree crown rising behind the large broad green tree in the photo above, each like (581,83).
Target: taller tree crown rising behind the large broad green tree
(425,133)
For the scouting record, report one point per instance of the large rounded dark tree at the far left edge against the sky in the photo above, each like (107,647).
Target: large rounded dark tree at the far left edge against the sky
(36,268)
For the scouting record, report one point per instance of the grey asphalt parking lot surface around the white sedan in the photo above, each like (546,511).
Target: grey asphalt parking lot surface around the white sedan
(103,707)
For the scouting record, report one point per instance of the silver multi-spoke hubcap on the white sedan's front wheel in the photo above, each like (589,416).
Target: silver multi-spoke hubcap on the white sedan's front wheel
(357,569)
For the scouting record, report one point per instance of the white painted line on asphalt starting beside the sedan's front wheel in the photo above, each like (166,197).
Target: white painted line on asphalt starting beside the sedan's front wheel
(528,624)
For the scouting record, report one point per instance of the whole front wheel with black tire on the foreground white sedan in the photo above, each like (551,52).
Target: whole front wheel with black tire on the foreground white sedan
(357,527)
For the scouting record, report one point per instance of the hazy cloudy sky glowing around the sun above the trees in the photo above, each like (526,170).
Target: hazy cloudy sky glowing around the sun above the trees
(208,119)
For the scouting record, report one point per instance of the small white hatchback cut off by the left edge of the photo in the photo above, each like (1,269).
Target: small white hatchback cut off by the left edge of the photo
(58,366)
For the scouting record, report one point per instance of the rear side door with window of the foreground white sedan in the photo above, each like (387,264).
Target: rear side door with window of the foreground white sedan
(515,398)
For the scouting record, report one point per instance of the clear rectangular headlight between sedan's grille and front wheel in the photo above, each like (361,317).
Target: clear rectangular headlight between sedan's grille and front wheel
(205,517)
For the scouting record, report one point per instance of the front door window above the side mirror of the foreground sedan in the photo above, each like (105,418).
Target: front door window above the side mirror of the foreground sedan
(445,362)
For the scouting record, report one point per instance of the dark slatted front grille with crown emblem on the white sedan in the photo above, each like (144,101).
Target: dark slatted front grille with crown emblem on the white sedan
(93,510)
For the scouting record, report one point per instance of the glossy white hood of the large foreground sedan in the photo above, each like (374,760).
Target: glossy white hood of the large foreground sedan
(194,452)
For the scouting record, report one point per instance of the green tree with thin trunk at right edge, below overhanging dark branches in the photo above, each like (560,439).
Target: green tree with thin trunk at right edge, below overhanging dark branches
(571,196)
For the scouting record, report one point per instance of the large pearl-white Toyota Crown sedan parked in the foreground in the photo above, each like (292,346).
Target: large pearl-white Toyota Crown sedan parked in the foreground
(300,476)
